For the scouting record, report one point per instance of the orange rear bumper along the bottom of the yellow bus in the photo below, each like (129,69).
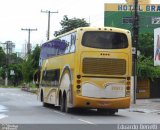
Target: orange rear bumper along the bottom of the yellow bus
(117,103)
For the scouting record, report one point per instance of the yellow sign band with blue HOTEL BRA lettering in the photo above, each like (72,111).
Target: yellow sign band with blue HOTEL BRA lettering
(130,7)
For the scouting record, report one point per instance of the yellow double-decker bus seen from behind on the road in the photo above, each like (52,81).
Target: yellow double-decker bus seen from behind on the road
(89,67)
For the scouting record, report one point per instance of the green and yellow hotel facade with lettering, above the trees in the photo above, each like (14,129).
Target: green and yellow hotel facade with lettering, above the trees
(121,15)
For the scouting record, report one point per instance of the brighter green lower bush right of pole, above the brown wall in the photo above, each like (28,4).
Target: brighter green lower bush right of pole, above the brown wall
(146,68)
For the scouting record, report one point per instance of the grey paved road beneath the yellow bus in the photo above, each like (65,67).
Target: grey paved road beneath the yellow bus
(19,107)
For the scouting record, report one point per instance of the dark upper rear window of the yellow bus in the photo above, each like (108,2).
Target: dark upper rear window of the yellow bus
(104,40)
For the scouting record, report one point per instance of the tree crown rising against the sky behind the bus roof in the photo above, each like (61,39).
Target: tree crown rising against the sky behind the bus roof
(70,24)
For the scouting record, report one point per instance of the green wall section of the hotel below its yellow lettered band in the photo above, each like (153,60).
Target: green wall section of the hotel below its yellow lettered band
(114,18)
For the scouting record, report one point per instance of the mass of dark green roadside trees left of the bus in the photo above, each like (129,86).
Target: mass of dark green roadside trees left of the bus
(23,69)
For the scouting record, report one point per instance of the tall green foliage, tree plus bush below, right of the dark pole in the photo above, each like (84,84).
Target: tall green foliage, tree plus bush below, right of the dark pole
(145,64)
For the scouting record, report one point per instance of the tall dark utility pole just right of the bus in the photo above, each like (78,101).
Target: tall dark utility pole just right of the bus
(135,45)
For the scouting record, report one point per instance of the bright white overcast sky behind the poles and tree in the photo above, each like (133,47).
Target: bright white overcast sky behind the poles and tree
(17,14)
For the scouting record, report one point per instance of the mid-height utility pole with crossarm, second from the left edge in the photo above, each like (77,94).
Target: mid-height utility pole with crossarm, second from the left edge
(28,44)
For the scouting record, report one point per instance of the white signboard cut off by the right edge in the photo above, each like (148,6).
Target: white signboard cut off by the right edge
(157,47)
